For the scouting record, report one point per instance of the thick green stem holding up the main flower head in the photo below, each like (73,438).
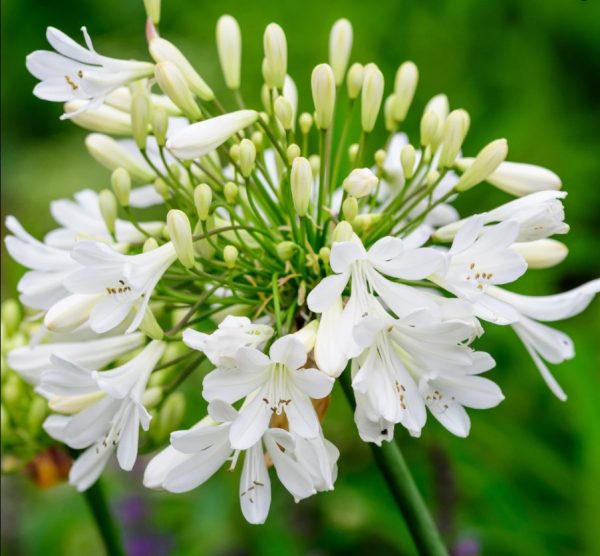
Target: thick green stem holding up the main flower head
(403,489)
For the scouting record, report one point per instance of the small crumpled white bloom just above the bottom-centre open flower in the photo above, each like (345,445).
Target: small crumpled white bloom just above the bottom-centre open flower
(232,333)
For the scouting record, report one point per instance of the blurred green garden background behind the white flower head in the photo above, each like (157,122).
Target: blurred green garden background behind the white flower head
(526,480)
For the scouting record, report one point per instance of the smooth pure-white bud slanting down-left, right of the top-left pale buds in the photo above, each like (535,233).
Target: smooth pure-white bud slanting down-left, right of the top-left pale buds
(203,137)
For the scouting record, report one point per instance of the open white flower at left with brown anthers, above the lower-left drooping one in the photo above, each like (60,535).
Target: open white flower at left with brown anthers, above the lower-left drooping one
(108,286)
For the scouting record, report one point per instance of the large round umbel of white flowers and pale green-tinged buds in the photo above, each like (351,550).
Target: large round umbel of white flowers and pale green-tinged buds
(284,253)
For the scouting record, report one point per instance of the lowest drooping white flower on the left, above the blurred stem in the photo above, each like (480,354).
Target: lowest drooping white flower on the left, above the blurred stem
(108,411)
